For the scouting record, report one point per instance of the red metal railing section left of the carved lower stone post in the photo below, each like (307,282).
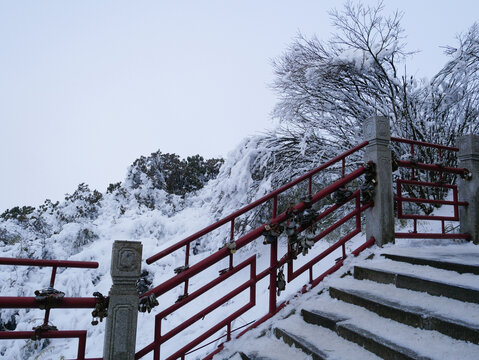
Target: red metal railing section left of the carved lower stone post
(43,331)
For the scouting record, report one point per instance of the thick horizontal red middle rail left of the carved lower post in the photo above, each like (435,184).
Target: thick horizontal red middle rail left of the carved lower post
(12,302)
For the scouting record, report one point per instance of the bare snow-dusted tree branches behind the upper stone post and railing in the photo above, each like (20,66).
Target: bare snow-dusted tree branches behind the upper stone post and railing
(328,88)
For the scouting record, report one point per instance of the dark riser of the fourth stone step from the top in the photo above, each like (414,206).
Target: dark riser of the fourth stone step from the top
(382,347)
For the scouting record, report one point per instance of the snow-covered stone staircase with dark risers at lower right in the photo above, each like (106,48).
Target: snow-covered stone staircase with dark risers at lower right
(401,303)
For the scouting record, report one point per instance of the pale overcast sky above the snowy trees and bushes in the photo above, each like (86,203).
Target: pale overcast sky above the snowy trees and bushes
(86,87)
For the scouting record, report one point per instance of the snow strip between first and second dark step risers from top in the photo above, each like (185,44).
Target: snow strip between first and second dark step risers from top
(423,271)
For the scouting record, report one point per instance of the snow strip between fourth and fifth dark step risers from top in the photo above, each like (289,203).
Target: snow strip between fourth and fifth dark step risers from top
(334,346)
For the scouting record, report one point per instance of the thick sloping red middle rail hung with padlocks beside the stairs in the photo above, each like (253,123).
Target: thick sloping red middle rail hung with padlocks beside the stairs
(246,239)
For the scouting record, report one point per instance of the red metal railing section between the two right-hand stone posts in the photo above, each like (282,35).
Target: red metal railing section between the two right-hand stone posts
(400,199)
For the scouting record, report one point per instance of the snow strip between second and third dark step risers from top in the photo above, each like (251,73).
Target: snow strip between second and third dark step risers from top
(436,305)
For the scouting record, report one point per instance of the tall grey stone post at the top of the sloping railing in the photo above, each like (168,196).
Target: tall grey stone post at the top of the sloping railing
(380,218)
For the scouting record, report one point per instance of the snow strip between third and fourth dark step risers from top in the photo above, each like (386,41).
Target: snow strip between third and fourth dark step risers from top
(431,344)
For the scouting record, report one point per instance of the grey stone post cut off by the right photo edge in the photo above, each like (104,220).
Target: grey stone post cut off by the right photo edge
(469,189)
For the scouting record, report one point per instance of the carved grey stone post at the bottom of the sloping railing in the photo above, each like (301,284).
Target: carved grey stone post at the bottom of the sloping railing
(120,334)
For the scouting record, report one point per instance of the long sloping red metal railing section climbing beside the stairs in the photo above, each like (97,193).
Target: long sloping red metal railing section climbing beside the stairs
(189,271)
